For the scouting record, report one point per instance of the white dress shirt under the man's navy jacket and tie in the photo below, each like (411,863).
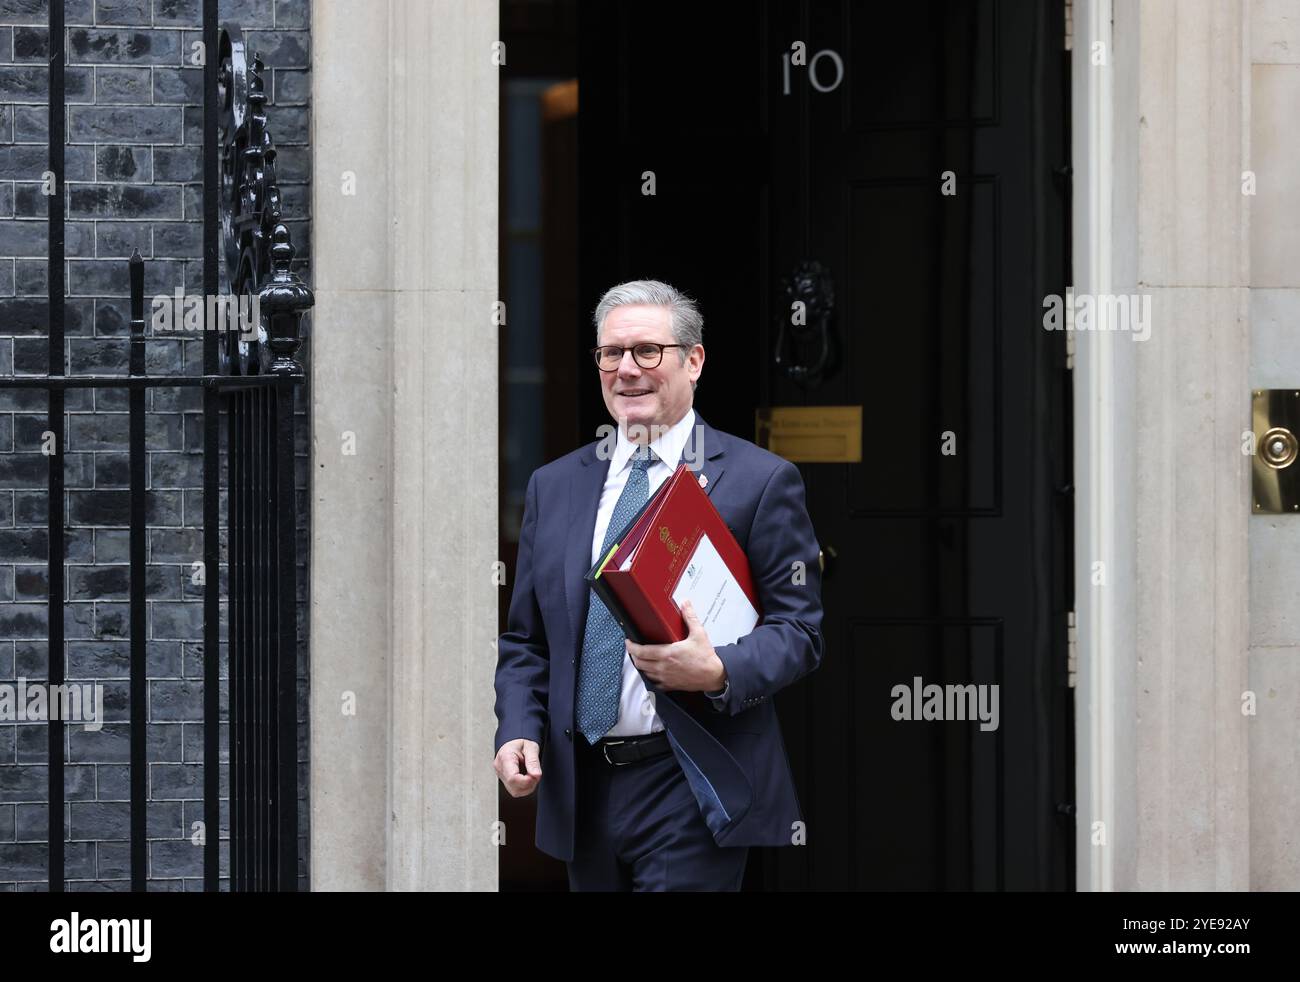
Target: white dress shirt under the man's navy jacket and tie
(636,708)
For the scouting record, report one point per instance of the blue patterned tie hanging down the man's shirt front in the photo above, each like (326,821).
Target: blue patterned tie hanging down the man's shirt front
(600,676)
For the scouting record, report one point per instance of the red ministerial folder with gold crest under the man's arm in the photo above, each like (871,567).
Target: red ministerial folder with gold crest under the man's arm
(656,551)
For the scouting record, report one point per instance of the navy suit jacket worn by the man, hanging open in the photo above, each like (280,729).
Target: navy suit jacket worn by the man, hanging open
(730,750)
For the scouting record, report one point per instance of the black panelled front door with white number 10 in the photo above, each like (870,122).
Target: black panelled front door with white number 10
(915,153)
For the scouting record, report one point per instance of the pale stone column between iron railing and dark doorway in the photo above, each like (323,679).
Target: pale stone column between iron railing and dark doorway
(405,361)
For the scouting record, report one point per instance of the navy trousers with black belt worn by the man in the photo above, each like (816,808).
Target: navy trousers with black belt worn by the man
(640,829)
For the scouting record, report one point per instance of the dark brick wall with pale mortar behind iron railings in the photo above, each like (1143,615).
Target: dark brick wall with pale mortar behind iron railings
(133,181)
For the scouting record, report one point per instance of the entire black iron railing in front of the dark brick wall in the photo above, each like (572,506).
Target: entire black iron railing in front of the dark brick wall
(249,380)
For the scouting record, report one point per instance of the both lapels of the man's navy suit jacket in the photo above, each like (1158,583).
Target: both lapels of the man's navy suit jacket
(586,487)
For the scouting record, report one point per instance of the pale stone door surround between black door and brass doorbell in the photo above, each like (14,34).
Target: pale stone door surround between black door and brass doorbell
(1162,729)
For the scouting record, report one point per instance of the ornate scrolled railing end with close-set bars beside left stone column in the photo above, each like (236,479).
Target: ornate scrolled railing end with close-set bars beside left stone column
(263,629)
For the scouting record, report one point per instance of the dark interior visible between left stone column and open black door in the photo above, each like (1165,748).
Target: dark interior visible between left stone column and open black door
(539,282)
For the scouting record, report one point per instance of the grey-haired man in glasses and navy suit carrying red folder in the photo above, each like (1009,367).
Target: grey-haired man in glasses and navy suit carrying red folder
(657,767)
